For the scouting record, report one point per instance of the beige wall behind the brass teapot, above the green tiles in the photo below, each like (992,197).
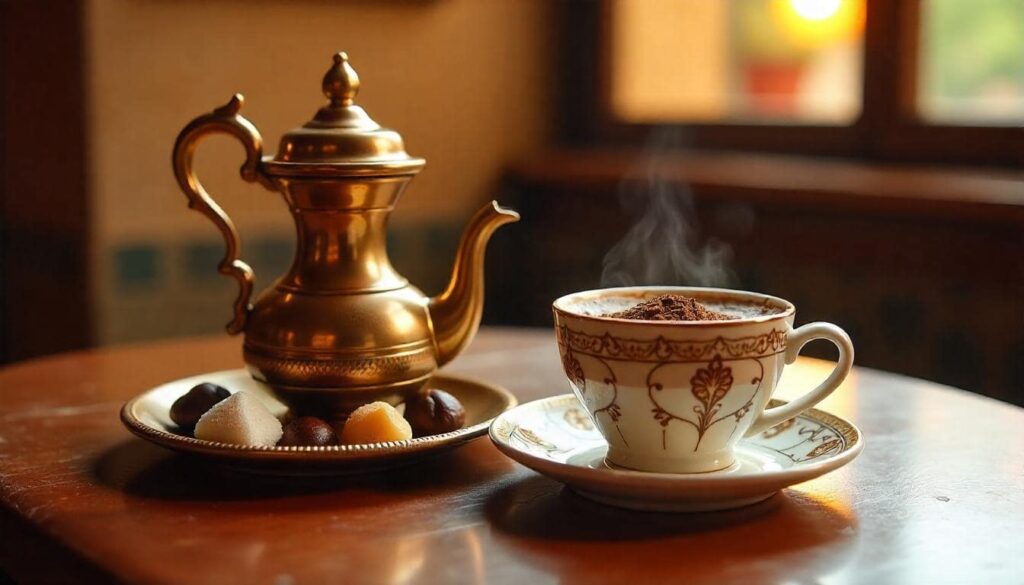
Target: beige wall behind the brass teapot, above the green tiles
(465,81)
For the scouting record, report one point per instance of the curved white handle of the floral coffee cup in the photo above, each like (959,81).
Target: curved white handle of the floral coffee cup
(795,342)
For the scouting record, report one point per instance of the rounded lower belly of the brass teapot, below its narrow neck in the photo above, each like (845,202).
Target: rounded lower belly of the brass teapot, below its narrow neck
(326,355)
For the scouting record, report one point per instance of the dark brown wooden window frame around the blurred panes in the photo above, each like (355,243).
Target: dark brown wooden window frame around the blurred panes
(887,130)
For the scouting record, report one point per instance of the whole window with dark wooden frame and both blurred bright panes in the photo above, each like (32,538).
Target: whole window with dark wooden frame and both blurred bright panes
(895,80)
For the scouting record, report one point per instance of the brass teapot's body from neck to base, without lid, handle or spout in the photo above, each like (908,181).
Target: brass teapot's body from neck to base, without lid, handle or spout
(342,319)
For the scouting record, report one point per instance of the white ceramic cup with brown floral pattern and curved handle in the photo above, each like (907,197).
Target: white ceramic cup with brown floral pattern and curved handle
(677,397)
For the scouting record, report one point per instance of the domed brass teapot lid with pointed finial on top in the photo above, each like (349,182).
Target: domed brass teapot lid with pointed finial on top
(342,140)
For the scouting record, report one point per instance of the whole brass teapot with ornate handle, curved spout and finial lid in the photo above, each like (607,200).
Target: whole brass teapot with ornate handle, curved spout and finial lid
(343,328)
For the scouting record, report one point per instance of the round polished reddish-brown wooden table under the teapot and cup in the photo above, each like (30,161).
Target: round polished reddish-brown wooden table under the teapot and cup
(936,497)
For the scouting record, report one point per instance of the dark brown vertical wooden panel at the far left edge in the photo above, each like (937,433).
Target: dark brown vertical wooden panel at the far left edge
(45,228)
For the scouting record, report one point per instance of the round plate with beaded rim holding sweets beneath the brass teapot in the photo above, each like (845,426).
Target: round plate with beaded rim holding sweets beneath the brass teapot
(148,416)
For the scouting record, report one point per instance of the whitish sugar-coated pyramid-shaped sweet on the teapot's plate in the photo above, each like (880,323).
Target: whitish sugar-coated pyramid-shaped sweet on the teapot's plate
(242,420)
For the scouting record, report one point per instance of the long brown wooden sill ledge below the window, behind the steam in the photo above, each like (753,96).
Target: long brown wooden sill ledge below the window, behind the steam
(961,195)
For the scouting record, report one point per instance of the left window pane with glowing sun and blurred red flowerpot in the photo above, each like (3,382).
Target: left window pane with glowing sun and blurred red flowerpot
(792,62)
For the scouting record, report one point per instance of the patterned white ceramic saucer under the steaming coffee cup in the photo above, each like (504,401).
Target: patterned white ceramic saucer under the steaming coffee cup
(556,437)
